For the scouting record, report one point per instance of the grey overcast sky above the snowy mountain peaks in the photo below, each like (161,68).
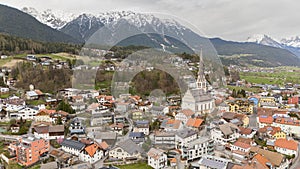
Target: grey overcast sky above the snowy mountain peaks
(228,19)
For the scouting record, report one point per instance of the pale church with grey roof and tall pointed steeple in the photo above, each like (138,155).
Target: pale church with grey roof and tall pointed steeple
(198,99)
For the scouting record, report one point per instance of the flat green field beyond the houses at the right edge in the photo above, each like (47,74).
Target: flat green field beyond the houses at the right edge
(281,75)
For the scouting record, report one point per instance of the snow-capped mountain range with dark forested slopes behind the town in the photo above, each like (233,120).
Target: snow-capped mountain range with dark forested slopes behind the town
(142,29)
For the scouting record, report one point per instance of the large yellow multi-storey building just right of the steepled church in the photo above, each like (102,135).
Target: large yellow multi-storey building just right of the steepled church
(240,105)
